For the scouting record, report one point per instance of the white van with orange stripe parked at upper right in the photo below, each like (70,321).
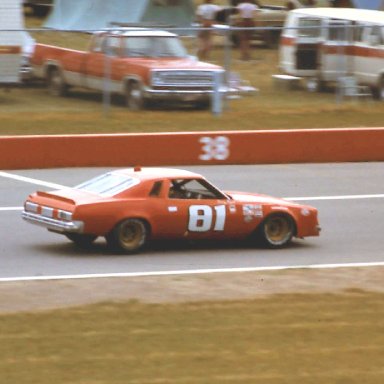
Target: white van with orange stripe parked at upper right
(327,44)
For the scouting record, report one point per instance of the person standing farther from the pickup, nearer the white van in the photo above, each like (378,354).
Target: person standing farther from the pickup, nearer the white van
(247,12)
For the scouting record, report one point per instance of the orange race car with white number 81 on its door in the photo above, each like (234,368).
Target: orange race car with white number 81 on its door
(130,207)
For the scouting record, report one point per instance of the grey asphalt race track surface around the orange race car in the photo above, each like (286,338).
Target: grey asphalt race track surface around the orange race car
(349,196)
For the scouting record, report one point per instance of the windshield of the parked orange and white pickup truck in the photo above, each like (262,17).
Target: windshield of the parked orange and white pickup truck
(153,46)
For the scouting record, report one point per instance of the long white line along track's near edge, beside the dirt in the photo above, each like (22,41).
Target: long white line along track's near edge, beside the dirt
(193,272)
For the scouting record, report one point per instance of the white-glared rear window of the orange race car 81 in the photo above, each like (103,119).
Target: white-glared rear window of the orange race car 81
(109,184)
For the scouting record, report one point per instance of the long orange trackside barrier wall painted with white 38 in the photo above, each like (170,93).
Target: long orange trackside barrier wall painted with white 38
(192,148)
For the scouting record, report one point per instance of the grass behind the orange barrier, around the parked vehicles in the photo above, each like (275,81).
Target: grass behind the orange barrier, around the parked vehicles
(31,110)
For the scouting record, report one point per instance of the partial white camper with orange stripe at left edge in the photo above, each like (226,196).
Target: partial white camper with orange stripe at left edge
(11,41)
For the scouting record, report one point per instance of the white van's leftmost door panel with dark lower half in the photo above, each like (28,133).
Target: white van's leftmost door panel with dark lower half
(308,45)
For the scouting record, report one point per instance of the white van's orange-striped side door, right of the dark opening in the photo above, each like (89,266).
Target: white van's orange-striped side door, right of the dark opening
(337,51)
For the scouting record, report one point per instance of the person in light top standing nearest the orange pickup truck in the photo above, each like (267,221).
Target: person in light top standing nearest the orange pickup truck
(206,14)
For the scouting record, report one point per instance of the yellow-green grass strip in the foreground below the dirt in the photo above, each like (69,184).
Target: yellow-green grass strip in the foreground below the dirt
(281,339)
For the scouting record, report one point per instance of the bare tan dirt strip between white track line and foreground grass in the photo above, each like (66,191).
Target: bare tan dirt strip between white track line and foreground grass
(45,295)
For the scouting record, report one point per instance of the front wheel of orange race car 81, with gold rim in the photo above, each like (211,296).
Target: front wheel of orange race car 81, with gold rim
(277,230)
